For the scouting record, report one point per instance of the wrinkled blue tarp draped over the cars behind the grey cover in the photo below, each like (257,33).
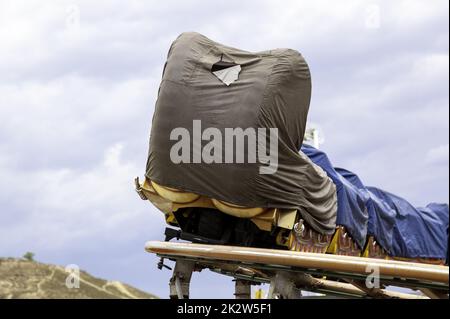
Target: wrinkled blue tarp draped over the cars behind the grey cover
(401,229)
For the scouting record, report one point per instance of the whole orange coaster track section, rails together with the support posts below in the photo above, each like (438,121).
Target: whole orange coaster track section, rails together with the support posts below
(261,266)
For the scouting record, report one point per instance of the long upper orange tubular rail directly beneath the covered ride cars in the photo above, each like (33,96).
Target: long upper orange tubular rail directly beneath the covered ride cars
(324,262)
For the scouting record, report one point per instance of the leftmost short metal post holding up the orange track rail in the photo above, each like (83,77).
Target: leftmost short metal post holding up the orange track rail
(181,278)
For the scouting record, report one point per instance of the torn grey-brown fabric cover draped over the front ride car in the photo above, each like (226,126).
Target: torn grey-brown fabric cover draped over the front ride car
(273,91)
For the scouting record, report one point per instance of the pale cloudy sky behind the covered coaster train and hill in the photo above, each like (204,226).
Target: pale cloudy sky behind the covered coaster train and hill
(78,81)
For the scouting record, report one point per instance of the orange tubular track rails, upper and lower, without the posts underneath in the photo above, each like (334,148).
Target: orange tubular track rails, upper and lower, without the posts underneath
(309,269)
